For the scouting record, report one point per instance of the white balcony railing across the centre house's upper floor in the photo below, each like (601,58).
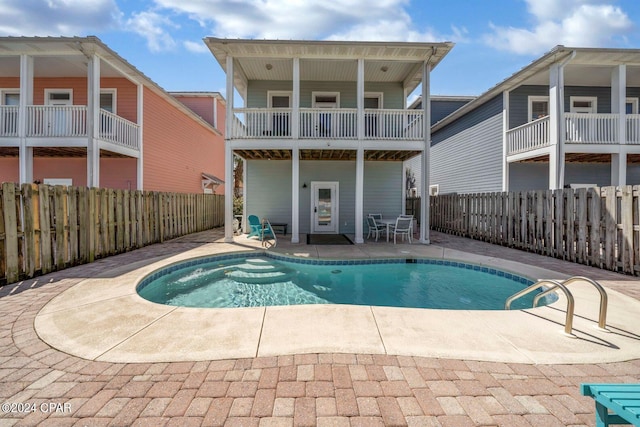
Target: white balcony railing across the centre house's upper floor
(336,123)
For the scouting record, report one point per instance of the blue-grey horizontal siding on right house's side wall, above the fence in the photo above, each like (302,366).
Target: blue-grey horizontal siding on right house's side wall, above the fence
(469,161)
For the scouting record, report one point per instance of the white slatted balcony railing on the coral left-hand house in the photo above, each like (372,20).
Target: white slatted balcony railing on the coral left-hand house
(61,121)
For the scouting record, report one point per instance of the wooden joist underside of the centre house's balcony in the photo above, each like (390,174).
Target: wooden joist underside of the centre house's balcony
(324,154)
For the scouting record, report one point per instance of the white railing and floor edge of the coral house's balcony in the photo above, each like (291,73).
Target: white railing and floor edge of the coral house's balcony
(61,125)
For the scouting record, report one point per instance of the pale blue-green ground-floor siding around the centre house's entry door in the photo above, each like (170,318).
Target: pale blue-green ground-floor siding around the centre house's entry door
(269,189)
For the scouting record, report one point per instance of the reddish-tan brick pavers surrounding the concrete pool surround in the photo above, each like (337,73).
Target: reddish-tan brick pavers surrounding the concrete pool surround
(43,386)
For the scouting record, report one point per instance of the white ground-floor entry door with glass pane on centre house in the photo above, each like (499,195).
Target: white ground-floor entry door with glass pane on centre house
(324,207)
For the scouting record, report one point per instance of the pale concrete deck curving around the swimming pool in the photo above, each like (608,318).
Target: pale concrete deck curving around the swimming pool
(103,319)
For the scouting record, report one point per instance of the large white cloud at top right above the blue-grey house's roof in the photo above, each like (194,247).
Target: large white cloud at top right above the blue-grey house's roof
(575,23)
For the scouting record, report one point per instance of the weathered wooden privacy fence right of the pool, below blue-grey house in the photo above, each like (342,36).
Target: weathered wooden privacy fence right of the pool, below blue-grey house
(596,226)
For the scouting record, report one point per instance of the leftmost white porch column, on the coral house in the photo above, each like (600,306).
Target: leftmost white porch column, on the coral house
(25,154)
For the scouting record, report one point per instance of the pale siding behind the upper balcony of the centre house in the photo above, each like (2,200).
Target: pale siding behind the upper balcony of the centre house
(393,94)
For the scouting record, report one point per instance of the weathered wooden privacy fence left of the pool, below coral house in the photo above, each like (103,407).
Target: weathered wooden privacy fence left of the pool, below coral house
(45,228)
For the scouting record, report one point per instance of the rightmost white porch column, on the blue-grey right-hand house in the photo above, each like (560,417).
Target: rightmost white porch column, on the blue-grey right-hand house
(618,104)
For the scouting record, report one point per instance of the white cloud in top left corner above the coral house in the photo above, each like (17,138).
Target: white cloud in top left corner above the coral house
(57,17)
